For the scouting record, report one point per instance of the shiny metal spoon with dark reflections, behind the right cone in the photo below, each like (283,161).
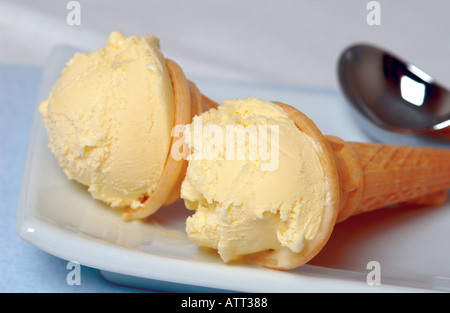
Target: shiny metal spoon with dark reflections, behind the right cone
(394,101)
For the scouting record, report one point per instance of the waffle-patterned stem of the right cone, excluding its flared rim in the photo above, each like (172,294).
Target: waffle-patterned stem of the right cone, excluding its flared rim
(374,176)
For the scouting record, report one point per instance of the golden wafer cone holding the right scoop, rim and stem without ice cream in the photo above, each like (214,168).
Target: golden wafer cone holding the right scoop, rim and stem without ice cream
(362,177)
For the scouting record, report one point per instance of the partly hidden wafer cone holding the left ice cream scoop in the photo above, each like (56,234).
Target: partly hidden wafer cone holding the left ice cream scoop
(188,103)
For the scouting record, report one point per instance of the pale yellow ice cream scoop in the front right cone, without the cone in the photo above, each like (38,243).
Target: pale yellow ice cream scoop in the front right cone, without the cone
(242,207)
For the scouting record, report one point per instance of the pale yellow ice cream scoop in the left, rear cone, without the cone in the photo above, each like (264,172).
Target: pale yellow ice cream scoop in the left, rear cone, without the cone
(109,119)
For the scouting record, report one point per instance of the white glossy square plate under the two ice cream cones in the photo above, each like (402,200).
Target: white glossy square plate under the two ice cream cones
(59,216)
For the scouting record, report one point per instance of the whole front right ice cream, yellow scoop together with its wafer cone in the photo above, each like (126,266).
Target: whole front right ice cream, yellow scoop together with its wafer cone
(276,204)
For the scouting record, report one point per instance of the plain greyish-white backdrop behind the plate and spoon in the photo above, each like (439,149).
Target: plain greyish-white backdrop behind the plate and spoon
(270,41)
